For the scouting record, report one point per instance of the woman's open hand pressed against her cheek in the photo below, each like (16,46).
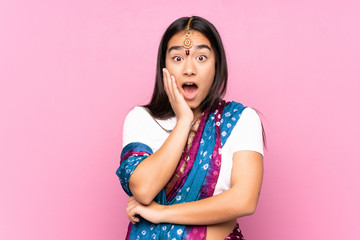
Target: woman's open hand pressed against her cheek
(181,109)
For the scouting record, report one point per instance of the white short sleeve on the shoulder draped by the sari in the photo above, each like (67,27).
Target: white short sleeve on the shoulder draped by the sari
(247,133)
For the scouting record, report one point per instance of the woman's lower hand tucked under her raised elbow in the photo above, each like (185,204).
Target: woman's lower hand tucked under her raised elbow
(152,212)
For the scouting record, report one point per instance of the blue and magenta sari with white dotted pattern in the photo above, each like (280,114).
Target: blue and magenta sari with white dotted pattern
(195,177)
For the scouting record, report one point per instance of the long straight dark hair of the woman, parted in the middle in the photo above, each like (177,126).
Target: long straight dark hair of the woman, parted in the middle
(159,106)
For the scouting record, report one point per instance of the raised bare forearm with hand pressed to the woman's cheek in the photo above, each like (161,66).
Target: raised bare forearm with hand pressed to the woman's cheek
(154,172)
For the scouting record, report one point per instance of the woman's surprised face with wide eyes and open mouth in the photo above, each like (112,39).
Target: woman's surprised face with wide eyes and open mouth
(194,73)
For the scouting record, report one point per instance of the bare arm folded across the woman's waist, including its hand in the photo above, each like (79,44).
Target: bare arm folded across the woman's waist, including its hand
(240,200)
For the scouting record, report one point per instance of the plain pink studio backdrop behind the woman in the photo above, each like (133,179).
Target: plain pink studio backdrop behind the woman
(71,70)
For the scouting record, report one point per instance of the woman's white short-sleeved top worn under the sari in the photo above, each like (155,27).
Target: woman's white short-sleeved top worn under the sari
(139,126)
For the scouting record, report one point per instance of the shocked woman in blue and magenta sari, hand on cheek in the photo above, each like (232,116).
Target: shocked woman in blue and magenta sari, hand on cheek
(191,162)
